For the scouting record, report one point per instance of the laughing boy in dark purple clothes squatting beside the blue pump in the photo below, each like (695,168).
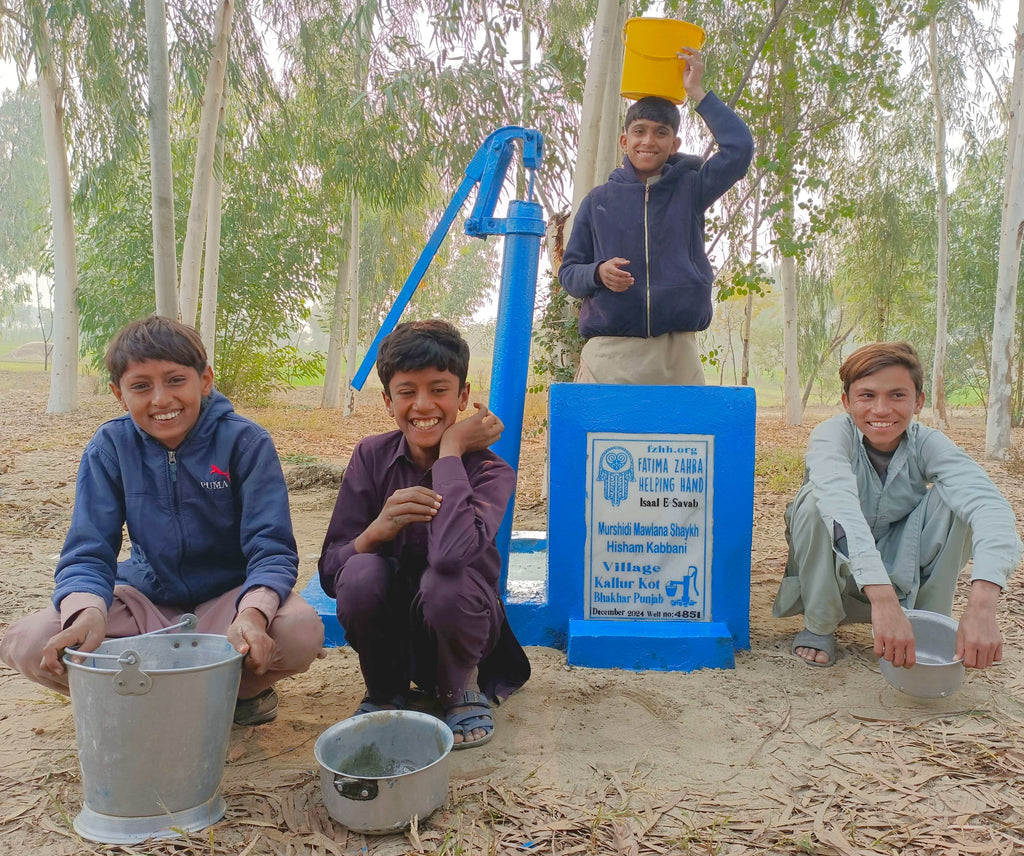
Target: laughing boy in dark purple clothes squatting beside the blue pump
(410,553)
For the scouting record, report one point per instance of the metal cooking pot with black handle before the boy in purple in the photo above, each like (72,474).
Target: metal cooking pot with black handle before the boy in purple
(379,771)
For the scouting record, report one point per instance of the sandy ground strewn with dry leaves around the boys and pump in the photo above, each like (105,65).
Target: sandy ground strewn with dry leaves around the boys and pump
(773,757)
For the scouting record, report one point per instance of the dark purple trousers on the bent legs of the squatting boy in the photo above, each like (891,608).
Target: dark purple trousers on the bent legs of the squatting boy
(433,630)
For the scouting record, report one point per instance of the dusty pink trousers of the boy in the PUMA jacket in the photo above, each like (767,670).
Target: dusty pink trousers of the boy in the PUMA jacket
(296,629)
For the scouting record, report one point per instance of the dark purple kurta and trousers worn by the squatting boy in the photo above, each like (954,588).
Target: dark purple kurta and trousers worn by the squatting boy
(425,608)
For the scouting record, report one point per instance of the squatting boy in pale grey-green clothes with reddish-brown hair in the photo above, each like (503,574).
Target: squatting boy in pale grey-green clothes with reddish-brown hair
(886,519)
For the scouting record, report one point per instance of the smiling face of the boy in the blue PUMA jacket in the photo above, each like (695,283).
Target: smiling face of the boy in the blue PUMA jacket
(164,399)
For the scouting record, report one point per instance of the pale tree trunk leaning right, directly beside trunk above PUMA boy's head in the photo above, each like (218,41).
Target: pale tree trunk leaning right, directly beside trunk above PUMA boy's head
(203,177)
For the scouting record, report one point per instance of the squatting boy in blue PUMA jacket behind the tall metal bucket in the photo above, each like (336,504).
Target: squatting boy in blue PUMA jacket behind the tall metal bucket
(204,498)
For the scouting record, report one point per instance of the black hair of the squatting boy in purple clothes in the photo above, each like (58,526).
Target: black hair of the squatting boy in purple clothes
(425,345)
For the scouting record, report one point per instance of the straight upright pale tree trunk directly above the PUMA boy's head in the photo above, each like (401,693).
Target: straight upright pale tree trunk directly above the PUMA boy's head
(165,266)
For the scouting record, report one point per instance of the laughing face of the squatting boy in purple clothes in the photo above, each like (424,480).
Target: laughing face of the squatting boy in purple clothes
(425,404)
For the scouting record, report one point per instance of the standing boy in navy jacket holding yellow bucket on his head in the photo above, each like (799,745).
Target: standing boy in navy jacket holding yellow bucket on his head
(636,255)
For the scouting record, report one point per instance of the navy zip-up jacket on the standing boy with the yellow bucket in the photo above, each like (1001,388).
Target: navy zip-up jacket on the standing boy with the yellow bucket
(660,228)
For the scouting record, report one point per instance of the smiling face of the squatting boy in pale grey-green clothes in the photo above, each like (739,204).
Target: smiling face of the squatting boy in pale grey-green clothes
(883,405)
